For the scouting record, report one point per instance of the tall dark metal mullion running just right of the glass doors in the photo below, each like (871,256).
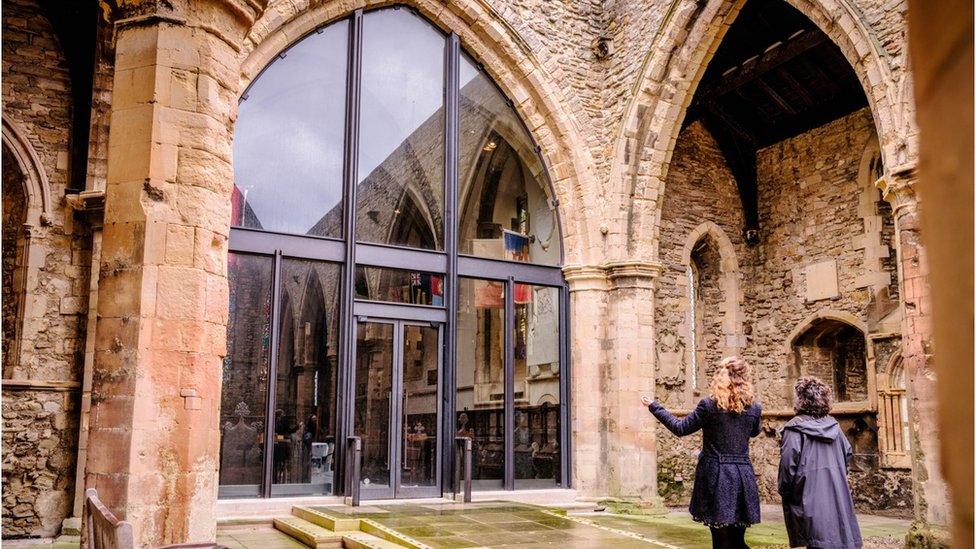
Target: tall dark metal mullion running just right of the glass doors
(449,376)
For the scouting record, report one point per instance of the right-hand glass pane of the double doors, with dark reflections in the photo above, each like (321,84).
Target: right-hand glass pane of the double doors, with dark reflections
(418,441)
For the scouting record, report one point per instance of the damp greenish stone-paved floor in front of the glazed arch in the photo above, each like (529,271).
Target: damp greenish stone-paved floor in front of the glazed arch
(503,524)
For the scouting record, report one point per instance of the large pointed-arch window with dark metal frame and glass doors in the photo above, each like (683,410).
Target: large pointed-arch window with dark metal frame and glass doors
(394,273)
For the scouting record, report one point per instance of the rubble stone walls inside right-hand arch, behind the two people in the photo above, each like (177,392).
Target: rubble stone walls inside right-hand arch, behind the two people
(808,200)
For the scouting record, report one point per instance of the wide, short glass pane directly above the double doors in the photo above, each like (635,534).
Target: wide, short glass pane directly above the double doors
(399,286)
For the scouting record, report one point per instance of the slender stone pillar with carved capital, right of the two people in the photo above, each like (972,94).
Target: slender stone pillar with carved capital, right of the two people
(931,504)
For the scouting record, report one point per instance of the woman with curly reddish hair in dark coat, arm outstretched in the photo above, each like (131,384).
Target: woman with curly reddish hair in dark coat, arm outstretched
(725,496)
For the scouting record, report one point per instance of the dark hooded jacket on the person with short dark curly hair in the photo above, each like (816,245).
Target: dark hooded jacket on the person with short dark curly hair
(817,503)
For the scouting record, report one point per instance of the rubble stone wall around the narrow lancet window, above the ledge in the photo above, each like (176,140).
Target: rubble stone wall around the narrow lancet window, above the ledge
(700,189)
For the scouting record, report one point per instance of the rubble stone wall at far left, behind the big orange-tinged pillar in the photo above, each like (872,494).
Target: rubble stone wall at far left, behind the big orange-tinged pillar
(39,423)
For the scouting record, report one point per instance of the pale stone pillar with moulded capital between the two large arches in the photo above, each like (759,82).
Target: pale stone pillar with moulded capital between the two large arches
(613,365)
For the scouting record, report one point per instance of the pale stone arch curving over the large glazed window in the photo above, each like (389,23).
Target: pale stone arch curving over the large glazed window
(494,42)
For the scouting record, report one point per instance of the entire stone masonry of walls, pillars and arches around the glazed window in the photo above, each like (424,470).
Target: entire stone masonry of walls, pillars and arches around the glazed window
(602,87)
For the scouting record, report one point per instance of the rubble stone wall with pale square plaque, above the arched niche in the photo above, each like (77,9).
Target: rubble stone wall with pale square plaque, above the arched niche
(808,214)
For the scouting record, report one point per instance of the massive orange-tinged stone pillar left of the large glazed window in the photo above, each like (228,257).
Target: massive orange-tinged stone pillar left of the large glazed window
(153,448)
